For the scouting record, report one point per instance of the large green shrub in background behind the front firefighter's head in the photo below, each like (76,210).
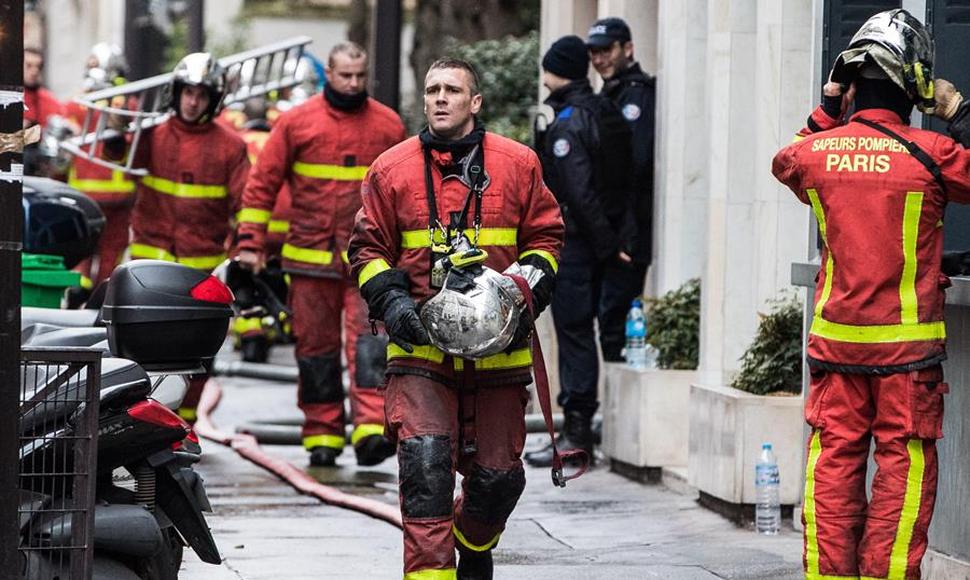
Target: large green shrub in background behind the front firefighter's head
(510,81)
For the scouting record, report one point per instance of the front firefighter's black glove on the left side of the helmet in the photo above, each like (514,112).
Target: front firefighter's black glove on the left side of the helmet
(389,299)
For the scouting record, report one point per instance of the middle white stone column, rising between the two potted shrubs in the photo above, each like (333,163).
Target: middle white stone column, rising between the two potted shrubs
(728,305)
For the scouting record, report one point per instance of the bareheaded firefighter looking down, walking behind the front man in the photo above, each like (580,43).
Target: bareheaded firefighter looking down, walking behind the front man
(322,150)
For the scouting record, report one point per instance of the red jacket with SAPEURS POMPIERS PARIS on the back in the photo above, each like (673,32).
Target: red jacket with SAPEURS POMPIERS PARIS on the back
(880,292)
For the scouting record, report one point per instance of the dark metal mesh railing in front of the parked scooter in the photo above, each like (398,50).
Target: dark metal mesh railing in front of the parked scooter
(58,428)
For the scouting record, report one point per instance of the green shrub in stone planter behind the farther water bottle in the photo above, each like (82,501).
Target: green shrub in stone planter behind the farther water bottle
(673,326)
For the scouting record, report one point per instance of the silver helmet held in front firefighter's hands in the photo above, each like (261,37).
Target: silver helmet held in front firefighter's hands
(475,313)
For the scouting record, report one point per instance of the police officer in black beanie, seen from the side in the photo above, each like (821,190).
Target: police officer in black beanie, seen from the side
(586,159)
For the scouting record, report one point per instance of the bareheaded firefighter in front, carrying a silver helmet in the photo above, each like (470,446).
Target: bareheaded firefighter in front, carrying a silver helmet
(446,412)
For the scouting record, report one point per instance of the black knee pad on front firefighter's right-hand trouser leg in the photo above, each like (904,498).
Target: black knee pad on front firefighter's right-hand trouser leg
(491,494)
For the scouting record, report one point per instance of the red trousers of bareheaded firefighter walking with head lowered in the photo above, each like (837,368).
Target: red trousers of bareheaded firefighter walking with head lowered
(318,305)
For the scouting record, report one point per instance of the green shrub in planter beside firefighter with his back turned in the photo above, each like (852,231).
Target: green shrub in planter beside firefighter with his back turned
(773,362)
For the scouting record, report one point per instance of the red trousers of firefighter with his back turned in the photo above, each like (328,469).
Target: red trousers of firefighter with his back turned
(847,536)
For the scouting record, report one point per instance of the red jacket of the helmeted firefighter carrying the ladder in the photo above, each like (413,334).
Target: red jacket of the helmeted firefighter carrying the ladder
(196,176)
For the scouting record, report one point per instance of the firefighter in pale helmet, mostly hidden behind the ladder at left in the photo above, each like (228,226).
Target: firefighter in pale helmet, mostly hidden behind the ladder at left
(112,189)
